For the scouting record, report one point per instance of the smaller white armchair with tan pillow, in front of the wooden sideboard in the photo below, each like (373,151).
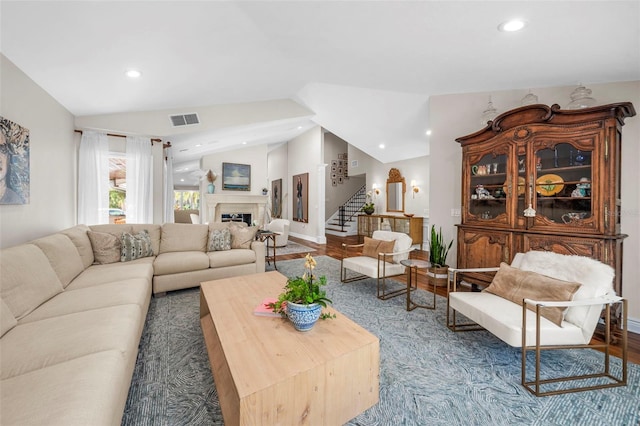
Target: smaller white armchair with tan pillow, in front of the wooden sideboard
(377,264)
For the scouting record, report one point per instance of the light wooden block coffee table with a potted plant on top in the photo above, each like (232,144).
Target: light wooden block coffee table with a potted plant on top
(266,372)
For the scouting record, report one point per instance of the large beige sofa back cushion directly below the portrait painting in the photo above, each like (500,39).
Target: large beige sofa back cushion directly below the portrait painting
(26,279)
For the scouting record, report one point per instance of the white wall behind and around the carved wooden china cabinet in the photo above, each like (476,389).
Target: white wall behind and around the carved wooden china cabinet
(452,116)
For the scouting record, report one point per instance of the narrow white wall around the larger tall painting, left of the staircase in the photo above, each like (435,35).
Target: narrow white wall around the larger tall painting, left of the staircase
(305,155)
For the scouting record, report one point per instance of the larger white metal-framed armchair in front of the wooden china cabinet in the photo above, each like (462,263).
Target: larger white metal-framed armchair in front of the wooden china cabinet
(524,324)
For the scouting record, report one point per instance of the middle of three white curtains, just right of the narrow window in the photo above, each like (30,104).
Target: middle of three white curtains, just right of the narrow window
(139,191)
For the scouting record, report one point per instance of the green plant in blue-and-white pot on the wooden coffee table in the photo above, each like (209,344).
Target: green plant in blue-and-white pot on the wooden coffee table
(302,299)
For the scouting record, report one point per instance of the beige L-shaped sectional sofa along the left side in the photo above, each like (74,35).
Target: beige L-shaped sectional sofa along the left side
(71,328)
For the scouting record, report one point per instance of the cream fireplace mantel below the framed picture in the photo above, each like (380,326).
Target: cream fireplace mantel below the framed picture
(219,204)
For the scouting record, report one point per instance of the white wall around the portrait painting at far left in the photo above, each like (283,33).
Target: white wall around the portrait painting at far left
(53,160)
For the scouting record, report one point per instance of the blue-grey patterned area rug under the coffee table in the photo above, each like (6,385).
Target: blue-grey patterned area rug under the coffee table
(428,374)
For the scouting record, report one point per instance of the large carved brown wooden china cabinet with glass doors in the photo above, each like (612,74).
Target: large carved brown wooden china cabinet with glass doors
(556,186)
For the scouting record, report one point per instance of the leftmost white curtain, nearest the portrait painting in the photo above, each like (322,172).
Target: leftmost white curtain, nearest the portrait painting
(93,179)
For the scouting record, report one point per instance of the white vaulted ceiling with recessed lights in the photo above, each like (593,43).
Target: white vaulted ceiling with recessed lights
(364,69)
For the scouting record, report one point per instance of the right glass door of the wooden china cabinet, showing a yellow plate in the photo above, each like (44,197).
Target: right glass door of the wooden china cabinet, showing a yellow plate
(562,185)
